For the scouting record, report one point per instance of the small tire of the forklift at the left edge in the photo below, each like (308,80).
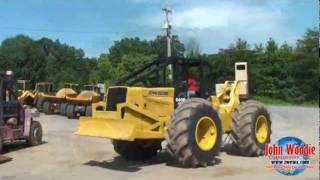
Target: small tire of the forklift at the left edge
(35,135)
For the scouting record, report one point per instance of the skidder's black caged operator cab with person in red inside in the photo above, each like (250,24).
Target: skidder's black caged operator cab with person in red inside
(189,77)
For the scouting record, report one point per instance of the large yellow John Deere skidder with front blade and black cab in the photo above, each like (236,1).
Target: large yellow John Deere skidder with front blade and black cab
(138,119)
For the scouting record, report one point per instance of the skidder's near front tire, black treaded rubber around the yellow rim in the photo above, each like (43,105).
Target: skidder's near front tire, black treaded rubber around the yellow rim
(181,132)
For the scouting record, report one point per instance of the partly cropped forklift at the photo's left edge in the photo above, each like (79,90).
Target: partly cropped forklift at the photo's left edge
(16,121)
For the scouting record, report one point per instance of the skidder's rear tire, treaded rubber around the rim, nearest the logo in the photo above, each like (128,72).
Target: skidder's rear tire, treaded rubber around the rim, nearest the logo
(243,128)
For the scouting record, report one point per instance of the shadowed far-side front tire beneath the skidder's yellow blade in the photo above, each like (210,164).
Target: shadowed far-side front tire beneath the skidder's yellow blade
(137,150)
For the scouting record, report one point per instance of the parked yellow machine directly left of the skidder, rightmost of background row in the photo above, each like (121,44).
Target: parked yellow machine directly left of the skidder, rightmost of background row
(81,104)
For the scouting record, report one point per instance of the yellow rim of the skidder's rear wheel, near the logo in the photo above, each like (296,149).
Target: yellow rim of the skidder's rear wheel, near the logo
(261,129)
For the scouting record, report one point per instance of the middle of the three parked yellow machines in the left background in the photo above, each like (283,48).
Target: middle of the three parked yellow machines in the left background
(52,103)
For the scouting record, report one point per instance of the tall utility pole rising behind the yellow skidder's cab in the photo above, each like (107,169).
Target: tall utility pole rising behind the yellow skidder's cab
(167,26)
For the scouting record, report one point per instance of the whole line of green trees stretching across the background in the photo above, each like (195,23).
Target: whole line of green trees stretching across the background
(279,71)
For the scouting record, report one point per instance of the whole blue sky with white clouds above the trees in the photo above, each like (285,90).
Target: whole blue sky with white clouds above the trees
(94,25)
